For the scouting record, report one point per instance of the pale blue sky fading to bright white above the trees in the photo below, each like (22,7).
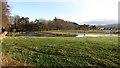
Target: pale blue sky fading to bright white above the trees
(78,11)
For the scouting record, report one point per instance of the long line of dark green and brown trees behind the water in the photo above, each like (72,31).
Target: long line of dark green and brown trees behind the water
(22,24)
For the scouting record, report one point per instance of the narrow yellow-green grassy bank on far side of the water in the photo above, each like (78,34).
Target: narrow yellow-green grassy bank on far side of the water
(80,31)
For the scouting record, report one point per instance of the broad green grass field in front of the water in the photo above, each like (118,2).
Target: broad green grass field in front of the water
(64,51)
